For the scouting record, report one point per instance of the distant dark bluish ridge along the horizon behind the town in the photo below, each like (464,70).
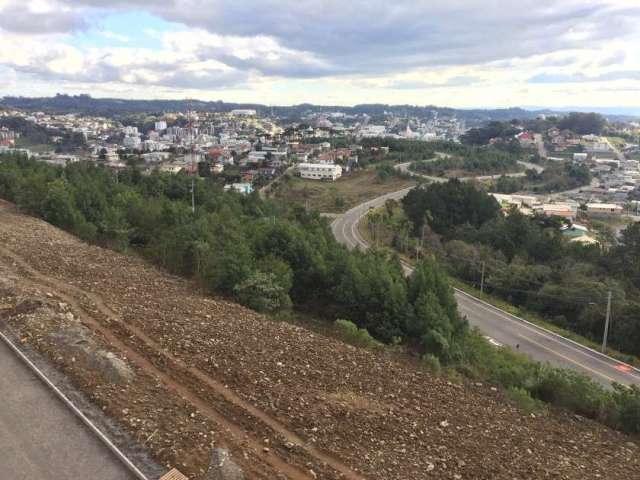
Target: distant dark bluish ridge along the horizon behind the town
(85,104)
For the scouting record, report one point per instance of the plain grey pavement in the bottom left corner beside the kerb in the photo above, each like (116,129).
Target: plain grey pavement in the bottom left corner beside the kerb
(40,438)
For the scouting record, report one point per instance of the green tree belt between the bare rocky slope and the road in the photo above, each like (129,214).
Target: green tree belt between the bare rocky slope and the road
(264,253)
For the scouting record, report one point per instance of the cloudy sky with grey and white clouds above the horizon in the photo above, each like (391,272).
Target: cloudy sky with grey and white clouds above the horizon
(462,53)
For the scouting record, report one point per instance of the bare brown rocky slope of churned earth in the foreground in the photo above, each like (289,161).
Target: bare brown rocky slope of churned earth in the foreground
(183,373)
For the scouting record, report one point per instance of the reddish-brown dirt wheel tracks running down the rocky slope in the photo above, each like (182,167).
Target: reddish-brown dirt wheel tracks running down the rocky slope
(78,299)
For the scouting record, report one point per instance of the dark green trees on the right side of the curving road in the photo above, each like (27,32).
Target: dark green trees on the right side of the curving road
(529,263)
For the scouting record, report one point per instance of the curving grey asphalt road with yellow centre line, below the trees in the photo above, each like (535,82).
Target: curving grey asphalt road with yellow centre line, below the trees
(501,327)
